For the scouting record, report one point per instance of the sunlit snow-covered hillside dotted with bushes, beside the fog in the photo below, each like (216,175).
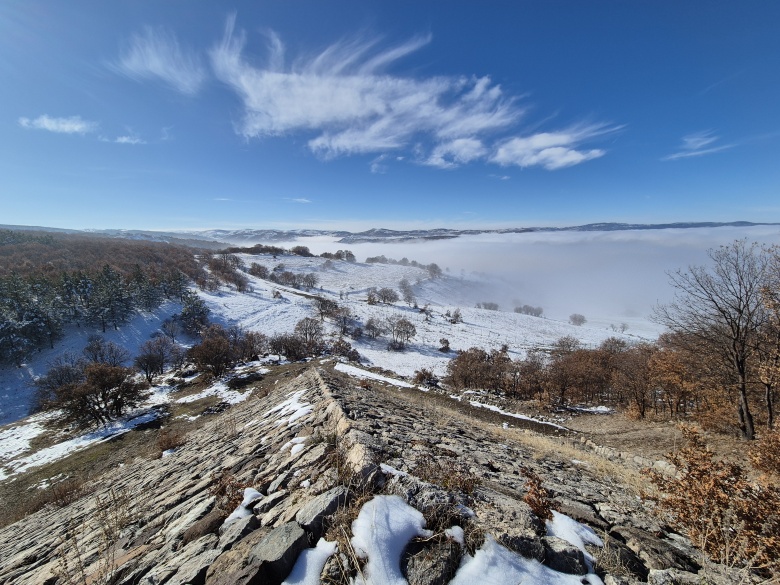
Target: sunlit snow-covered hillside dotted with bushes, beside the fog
(347,283)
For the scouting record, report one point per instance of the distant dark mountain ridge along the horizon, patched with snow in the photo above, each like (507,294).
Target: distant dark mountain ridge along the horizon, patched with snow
(376,235)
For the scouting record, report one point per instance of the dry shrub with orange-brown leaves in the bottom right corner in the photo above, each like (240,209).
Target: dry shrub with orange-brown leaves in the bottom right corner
(735,521)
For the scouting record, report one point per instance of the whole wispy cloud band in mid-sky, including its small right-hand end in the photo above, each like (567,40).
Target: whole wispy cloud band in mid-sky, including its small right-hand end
(346,98)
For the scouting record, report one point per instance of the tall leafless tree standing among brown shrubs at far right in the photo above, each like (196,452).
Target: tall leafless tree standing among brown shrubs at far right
(721,306)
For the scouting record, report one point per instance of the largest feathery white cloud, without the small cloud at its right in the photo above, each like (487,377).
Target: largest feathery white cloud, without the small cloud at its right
(344,97)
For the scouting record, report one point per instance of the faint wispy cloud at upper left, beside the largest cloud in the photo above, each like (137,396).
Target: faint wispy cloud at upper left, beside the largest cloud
(156,53)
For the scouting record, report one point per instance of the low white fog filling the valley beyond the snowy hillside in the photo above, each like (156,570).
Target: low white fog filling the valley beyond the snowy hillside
(610,277)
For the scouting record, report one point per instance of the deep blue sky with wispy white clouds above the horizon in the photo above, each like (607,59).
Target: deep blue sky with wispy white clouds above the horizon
(173,114)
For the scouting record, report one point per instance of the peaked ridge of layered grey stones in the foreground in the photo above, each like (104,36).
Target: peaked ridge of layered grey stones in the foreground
(307,455)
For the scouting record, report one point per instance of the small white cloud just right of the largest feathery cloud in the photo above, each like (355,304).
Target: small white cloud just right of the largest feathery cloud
(551,150)
